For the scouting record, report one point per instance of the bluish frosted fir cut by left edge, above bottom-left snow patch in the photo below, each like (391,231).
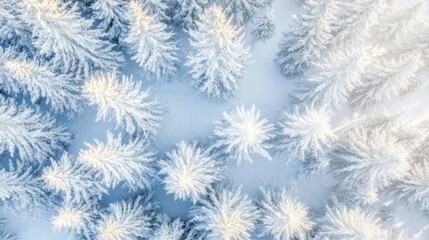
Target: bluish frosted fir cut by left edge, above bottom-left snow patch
(22,190)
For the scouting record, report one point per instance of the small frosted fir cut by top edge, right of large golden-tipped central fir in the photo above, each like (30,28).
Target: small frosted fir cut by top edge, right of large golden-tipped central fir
(242,11)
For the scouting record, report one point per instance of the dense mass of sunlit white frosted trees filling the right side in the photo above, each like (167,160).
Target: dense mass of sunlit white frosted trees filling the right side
(363,56)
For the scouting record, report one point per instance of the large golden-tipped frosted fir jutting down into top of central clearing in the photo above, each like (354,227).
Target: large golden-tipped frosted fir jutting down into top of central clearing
(218,58)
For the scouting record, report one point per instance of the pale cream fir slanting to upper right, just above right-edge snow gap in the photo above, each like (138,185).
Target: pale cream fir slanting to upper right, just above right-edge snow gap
(387,80)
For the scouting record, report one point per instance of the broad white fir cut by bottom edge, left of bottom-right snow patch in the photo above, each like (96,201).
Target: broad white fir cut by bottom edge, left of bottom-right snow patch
(341,223)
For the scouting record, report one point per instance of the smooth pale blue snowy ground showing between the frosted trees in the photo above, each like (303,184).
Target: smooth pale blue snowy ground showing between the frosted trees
(189,116)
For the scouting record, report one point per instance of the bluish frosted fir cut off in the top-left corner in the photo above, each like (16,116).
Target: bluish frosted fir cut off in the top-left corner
(14,32)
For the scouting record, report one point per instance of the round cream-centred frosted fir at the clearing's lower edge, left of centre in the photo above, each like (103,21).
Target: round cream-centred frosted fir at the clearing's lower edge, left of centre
(189,171)
